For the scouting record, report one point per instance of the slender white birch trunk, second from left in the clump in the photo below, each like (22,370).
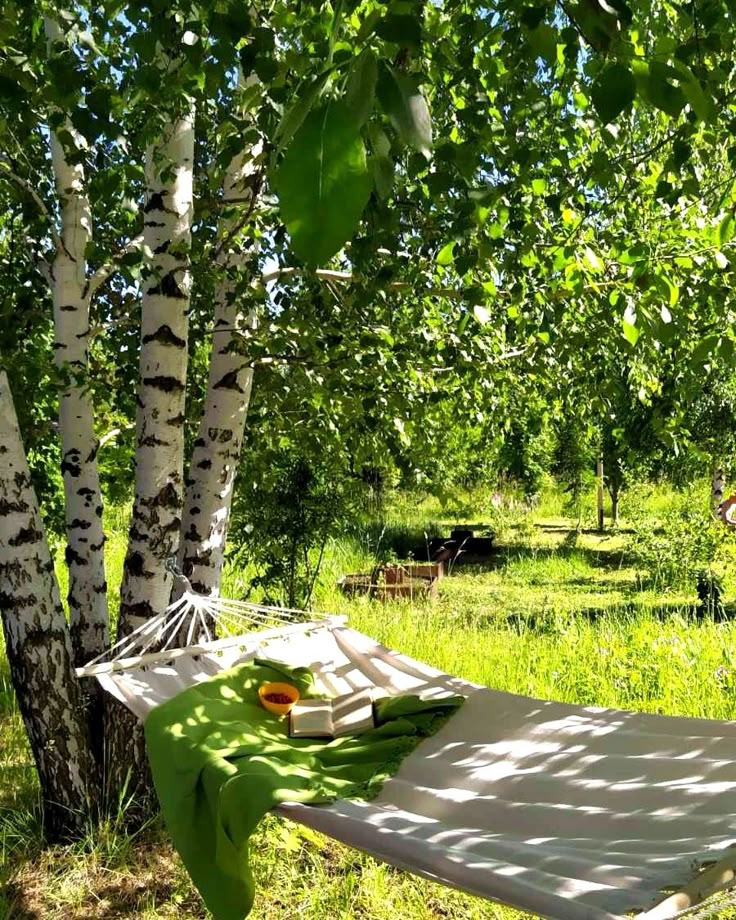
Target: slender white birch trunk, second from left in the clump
(85,537)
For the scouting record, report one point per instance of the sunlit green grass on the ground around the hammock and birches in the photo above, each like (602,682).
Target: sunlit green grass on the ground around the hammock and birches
(560,613)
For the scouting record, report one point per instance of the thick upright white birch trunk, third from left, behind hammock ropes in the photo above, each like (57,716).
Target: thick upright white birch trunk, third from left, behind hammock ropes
(156,524)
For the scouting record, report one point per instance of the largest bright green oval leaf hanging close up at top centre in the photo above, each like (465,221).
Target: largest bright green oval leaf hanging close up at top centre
(323,183)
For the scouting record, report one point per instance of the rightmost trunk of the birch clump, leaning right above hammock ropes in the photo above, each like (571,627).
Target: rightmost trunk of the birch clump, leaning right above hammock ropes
(216,452)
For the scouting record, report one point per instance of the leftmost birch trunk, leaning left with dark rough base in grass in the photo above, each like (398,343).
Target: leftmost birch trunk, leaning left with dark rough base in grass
(37,641)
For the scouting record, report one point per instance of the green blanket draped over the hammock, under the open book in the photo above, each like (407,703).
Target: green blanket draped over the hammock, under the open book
(220,762)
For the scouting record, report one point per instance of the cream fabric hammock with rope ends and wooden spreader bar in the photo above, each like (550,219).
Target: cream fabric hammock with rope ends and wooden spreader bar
(571,812)
